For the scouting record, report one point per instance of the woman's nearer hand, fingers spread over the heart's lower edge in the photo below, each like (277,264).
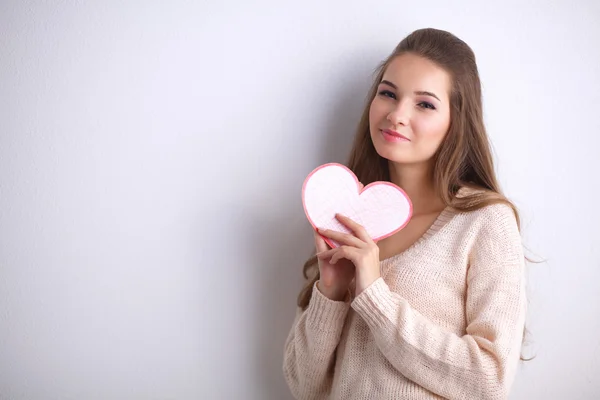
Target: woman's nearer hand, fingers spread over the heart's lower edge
(357,247)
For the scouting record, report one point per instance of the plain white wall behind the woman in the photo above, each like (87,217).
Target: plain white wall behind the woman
(152,156)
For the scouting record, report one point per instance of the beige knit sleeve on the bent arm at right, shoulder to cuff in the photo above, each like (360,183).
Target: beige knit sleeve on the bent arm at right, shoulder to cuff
(482,363)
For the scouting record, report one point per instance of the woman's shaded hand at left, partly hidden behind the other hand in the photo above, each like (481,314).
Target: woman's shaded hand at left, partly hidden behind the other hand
(335,278)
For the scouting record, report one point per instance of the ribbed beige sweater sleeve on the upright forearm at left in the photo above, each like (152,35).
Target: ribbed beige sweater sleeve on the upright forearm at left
(310,347)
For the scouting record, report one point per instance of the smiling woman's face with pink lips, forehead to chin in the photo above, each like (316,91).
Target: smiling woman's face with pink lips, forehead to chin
(410,114)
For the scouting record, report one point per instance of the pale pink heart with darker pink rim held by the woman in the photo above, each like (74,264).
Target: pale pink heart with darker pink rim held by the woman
(382,208)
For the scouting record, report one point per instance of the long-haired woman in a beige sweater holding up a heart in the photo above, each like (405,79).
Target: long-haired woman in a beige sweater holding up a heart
(438,309)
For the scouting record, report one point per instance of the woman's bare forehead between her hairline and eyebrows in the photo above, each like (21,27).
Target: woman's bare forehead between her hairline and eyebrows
(411,73)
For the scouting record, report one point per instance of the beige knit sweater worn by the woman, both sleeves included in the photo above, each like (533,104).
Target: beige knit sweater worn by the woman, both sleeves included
(445,320)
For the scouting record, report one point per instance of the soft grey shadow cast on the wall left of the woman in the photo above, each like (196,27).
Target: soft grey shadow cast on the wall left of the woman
(284,253)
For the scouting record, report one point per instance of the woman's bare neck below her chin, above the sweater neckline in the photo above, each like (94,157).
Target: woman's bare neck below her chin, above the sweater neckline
(417,181)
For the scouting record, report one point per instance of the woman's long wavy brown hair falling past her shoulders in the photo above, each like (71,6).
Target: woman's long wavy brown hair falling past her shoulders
(464,158)
